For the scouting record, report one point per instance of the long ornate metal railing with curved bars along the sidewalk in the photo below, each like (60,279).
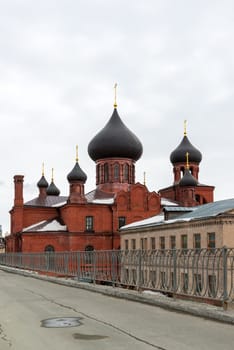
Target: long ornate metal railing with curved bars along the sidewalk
(206,273)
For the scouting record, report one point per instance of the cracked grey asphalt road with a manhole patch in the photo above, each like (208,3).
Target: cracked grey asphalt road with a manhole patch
(36,315)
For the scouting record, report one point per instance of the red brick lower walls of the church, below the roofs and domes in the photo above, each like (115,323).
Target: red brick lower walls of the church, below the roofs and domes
(136,204)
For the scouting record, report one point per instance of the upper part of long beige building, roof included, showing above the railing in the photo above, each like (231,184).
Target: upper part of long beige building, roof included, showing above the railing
(207,226)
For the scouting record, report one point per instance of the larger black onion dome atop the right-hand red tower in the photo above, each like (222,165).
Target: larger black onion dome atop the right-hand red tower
(178,155)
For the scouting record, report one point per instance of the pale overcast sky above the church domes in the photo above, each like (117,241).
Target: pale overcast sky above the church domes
(59,61)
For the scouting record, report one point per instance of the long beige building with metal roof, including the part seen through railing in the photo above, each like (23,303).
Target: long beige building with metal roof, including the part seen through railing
(192,253)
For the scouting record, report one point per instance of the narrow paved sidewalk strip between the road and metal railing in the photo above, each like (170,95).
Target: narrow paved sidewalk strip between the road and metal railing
(156,299)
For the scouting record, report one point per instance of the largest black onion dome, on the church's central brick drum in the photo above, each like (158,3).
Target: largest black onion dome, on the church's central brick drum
(115,140)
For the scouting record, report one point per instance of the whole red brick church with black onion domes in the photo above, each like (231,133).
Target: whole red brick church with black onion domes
(80,221)
